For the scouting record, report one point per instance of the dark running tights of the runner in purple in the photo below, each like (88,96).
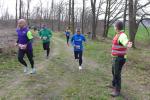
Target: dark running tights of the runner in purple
(29,53)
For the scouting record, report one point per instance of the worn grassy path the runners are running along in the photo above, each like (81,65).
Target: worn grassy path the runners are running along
(58,78)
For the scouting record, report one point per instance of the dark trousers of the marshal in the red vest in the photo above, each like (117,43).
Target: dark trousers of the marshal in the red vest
(117,64)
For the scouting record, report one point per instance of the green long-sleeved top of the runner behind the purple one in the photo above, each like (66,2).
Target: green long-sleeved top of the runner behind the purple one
(45,35)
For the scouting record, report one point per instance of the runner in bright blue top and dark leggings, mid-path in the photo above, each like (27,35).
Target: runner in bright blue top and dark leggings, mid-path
(77,42)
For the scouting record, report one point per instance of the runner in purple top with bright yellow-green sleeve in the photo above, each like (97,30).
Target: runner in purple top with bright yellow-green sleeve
(24,44)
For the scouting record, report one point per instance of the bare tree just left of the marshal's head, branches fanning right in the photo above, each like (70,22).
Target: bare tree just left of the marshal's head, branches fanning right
(114,9)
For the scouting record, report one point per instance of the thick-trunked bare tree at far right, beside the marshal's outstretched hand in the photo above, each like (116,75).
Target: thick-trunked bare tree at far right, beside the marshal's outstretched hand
(136,16)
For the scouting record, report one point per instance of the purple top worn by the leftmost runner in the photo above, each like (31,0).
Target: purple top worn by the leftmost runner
(22,37)
